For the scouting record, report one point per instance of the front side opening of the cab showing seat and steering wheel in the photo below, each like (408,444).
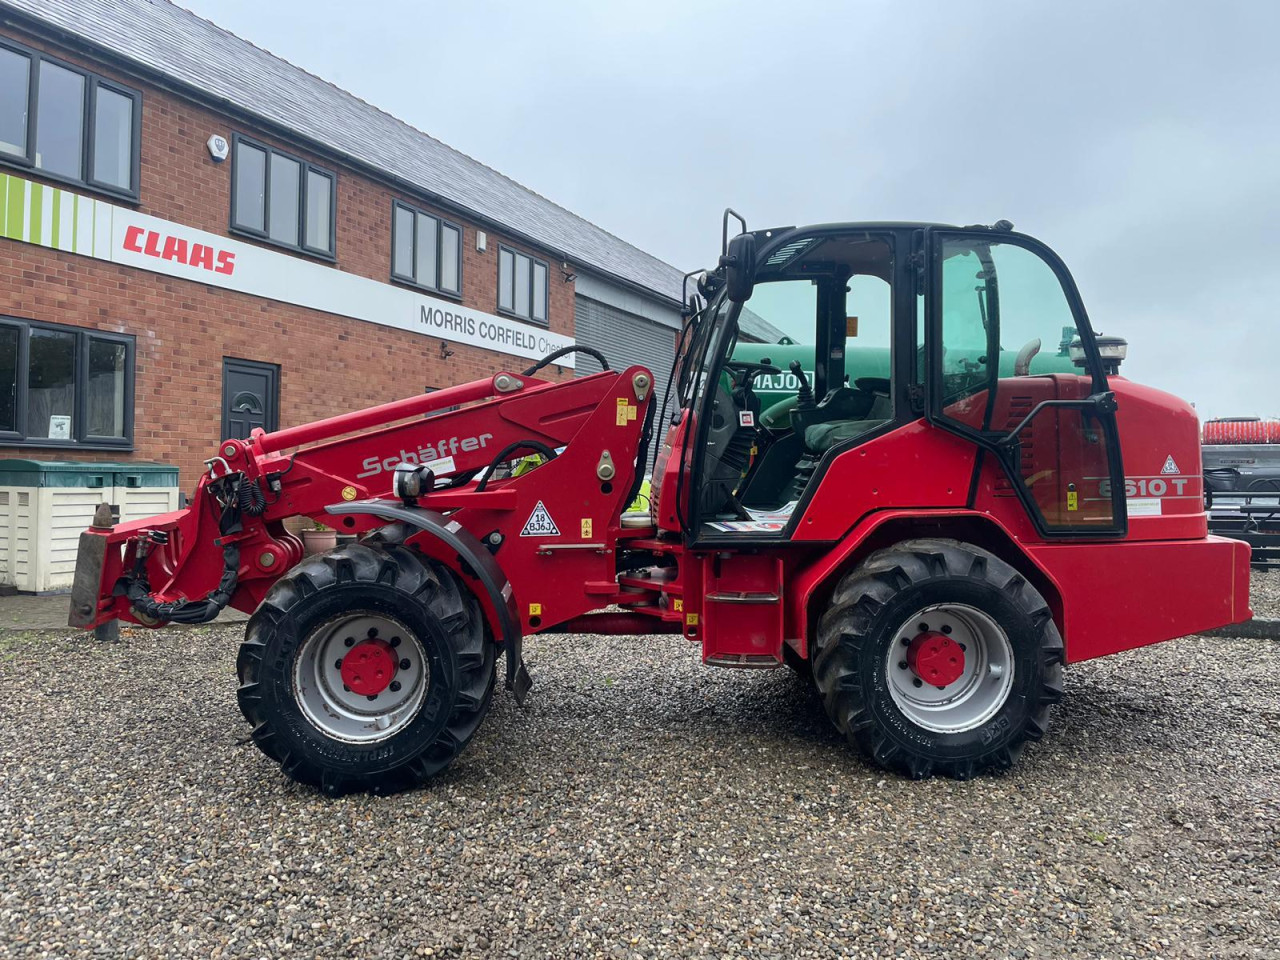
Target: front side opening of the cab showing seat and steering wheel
(781,408)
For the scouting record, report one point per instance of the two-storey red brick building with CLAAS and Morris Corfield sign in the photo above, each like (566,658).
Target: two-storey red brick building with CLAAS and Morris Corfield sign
(198,239)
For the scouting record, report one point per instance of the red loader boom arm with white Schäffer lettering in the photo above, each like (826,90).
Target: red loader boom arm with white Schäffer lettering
(339,473)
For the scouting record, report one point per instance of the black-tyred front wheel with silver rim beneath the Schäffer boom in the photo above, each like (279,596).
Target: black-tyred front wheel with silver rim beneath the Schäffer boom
(319,730)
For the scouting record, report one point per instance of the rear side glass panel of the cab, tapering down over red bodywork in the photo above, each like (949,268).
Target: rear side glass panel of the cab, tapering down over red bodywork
(1013,367)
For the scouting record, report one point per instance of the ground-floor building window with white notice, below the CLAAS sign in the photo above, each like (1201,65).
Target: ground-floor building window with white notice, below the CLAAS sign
(65,387)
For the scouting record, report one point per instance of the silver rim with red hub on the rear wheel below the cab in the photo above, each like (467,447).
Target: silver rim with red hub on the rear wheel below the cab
(979,676)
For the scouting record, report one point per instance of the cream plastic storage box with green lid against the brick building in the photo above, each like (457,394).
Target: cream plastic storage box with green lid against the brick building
(45,505)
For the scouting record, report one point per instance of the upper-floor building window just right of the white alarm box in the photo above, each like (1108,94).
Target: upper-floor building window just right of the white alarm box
(282,199)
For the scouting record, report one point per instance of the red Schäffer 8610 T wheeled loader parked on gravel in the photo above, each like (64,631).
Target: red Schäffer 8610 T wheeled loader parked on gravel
(932,546)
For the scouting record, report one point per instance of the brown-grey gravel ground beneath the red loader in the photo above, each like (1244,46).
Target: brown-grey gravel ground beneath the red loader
(641,807)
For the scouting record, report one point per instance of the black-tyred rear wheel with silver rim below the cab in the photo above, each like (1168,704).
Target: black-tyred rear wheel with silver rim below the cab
(1012,660)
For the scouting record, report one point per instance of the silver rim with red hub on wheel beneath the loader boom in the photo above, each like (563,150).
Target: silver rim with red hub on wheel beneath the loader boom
(371,702)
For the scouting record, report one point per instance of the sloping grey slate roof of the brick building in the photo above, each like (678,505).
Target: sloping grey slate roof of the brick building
(216,65)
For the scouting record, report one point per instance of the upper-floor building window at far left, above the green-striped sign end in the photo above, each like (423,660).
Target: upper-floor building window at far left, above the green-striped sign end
(68,125)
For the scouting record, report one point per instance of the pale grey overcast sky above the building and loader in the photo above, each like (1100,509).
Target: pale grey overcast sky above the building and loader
(1142,141)
